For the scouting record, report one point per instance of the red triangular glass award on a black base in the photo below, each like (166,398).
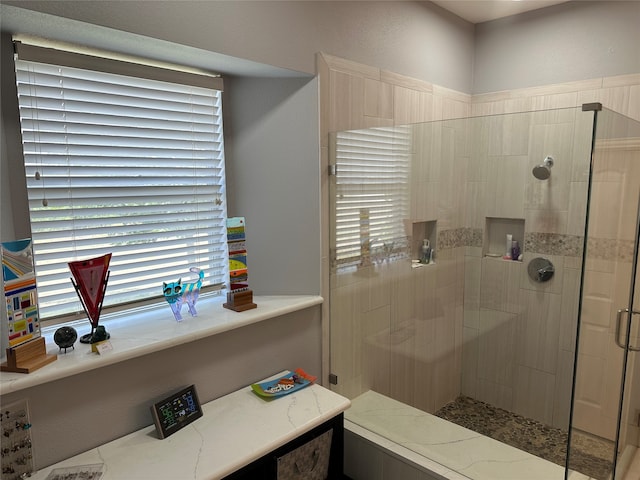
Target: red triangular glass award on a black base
(90,279)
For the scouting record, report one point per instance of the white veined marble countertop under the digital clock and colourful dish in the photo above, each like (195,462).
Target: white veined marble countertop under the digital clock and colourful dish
(234,431)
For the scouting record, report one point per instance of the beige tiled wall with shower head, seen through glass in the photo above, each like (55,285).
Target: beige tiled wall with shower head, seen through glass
(518,333)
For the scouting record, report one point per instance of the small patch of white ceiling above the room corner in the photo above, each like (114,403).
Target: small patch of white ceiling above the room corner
(478,11)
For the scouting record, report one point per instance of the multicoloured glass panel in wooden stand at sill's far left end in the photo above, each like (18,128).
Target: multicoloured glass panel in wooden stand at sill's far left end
(27,348)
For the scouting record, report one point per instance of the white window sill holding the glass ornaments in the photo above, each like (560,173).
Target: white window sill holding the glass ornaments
(149,331)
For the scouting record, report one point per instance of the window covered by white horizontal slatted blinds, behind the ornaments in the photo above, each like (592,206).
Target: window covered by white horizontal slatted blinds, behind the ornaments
(123,164)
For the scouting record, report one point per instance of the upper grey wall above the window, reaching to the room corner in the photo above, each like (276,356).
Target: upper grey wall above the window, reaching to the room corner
(416,39)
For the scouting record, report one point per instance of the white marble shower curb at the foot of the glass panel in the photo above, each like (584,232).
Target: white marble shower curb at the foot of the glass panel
(441,448)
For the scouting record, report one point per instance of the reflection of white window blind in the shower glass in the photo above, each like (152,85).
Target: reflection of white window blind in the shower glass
(371,194)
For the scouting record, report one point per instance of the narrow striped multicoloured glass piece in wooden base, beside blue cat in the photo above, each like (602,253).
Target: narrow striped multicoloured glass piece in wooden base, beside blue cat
(240,296)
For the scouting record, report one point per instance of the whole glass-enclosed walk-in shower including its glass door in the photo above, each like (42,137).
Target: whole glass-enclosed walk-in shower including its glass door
(486,268)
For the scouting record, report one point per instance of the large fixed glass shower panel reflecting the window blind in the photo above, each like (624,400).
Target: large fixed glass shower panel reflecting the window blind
(468,332)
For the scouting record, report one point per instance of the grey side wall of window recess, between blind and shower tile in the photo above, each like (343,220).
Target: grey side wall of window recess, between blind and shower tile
(273,180)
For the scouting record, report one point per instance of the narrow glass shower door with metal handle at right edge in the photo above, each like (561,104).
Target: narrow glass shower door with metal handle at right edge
(606,399)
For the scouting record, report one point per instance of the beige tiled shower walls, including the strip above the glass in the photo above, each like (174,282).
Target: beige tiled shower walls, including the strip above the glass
(467,324)
